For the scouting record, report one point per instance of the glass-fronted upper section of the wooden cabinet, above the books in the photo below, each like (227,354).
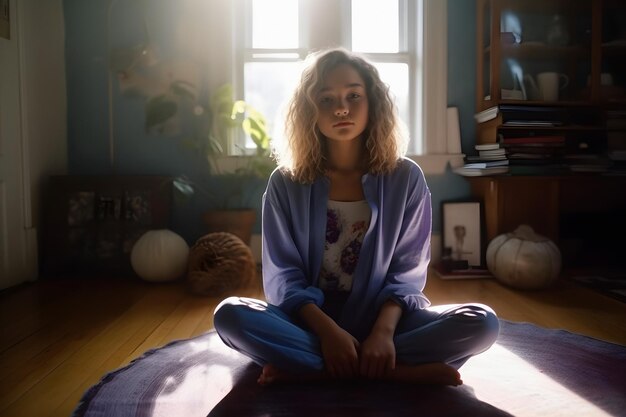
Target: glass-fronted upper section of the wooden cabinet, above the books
(522,45)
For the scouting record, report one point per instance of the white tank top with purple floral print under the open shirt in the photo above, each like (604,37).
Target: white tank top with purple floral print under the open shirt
(346,224)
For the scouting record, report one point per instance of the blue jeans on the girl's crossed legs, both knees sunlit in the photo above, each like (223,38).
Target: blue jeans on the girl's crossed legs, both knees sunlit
(450,334)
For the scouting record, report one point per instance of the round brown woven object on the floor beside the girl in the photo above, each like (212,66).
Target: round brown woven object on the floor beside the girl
(218,263)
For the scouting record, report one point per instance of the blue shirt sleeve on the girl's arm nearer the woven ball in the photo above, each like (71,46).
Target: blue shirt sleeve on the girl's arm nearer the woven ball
(285,279)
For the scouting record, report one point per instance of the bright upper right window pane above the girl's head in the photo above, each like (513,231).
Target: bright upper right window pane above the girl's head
(375,26)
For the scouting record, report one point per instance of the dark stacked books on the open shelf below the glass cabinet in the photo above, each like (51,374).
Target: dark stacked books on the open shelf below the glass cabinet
(550,140)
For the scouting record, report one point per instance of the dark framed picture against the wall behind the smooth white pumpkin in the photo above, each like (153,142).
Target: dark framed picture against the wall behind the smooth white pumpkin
(92,222)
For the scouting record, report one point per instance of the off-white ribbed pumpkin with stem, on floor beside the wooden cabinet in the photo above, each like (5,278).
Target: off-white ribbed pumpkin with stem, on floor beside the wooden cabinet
(523,259)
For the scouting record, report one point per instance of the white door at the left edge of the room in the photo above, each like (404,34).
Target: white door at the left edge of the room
(15,267)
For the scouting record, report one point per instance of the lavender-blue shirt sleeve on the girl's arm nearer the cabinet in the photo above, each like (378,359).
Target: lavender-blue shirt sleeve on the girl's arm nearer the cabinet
(407,272)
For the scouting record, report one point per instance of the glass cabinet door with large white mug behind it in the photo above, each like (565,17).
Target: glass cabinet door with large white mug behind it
(545,51)
